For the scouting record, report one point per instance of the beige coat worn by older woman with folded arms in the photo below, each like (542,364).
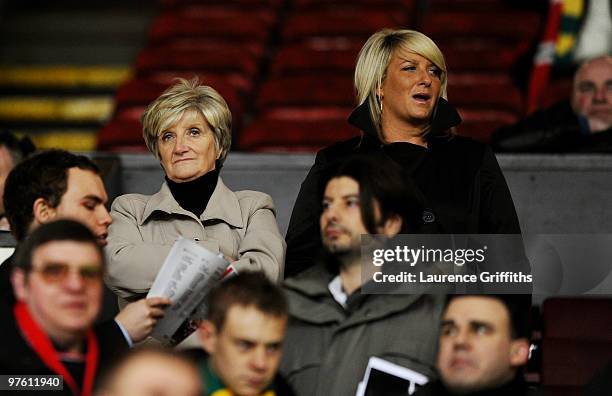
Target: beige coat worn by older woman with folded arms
(241,225)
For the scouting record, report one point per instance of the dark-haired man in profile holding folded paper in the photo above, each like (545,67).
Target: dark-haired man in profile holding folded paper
(57,184)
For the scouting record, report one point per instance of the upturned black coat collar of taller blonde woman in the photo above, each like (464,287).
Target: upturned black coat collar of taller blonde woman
(444,117)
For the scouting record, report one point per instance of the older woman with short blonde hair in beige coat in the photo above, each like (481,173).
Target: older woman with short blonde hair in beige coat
(188,129)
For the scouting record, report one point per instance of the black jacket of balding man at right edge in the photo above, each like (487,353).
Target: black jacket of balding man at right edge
(556,129)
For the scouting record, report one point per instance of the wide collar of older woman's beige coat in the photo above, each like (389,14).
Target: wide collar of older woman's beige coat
(223,205)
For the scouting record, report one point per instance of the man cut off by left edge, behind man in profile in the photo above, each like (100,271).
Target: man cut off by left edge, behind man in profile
(12,151)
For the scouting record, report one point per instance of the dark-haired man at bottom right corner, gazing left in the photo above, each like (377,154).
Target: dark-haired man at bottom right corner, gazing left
(484,342)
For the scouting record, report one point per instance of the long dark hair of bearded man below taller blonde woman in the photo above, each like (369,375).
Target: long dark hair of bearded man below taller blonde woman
(382,180)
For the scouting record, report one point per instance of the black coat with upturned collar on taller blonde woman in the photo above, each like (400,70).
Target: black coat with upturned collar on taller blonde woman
(460,180)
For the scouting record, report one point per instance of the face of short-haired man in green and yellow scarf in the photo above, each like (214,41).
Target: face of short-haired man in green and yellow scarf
(246,351)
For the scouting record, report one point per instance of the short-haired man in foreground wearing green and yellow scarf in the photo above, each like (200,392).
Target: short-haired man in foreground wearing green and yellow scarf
(243,335)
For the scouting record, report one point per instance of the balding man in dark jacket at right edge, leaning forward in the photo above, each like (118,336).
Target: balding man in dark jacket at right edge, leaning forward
(582,125)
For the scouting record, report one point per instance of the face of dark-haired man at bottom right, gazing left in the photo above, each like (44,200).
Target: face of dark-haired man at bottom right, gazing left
(476,350)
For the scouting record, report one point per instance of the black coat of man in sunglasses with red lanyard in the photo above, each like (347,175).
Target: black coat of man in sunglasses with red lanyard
(18,357)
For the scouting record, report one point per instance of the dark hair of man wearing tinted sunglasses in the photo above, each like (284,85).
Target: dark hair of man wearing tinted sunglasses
(55,231)
